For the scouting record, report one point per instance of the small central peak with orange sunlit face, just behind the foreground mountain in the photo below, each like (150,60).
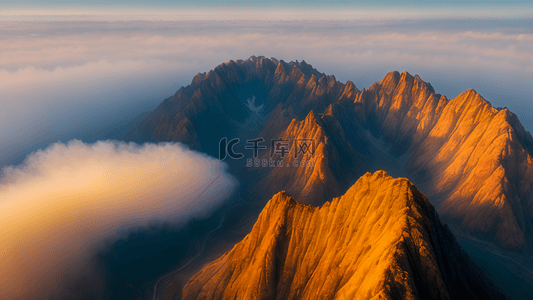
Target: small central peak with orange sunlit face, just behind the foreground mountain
(310,176)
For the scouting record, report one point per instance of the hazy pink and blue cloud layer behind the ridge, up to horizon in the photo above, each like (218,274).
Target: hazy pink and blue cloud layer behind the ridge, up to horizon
(61,79)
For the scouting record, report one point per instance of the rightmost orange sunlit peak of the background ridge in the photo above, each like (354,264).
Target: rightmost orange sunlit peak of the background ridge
(482,168)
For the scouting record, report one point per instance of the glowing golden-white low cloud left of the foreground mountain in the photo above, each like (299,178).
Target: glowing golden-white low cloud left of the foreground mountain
(64,203)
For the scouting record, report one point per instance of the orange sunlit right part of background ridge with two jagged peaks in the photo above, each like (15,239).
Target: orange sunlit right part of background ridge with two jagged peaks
(472,159)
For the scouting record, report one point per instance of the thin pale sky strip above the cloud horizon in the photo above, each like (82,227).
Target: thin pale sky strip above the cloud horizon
(260,10)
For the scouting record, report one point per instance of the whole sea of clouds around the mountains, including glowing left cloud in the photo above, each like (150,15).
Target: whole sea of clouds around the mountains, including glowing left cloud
(61,80)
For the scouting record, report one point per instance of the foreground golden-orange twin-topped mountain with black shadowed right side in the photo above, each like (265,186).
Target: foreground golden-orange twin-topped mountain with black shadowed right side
(380,240)
